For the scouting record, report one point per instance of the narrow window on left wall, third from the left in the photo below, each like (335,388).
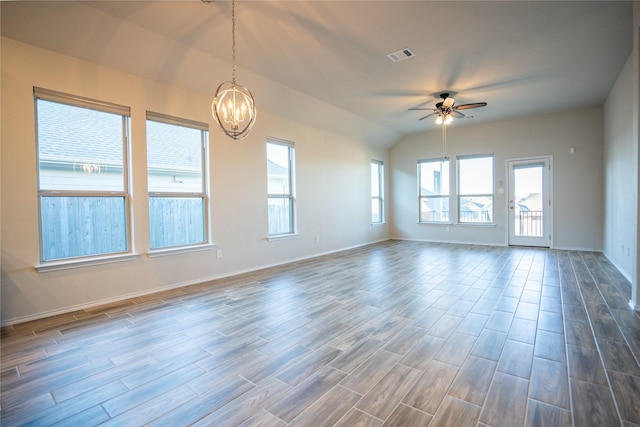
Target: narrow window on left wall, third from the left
(280,187)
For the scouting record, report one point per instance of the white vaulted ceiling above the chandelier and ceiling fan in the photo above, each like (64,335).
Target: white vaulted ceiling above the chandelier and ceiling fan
(521,57)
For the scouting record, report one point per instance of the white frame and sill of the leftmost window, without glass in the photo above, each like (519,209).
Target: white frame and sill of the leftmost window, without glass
(52,264)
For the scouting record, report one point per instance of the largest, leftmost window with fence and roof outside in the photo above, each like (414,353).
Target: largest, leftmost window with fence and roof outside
(83,179)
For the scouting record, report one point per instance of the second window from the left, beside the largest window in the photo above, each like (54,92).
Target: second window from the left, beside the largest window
(176,166)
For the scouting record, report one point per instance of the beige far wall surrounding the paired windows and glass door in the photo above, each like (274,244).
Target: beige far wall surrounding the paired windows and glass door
(577,178)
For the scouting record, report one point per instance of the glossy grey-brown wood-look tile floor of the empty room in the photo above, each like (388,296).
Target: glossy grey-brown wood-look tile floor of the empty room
(392,334)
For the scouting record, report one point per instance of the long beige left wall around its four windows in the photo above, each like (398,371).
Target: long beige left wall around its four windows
(332,187)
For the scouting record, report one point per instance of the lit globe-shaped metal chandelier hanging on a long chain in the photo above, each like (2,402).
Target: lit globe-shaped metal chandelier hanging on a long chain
(233,106)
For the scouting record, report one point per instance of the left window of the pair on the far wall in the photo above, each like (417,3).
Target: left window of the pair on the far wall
(433,191)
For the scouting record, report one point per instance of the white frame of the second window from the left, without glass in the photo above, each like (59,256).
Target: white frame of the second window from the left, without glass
(203,194)
